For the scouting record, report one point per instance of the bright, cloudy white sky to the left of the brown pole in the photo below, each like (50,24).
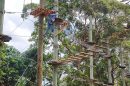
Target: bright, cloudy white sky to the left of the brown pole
(20,30)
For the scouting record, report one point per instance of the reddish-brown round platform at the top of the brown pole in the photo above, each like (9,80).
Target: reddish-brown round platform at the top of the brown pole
(42,11)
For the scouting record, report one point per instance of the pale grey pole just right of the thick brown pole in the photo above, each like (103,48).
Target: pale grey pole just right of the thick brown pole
(55,48)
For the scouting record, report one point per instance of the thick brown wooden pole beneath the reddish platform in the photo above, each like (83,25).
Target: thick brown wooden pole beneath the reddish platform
(40,48)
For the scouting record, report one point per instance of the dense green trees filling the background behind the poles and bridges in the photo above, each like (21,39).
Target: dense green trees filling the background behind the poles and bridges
(110,22)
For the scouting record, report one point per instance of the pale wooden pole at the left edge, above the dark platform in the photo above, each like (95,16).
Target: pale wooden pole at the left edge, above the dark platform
(2,2)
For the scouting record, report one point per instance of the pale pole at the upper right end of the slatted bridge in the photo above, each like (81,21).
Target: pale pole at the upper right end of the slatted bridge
(91,57)
